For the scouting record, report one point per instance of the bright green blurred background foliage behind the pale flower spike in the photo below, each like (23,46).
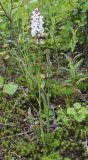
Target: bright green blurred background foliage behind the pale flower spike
(67,18)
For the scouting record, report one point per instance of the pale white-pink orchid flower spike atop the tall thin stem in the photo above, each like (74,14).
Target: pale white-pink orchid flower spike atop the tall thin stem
(37,29)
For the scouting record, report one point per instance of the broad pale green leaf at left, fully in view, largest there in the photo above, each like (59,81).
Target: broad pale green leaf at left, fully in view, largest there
(10,88)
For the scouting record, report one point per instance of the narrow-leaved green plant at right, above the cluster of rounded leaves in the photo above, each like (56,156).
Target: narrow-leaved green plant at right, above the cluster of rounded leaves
(74,75)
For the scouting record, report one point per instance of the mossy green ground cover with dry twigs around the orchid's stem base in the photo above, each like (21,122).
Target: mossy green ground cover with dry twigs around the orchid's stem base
(67,137)
